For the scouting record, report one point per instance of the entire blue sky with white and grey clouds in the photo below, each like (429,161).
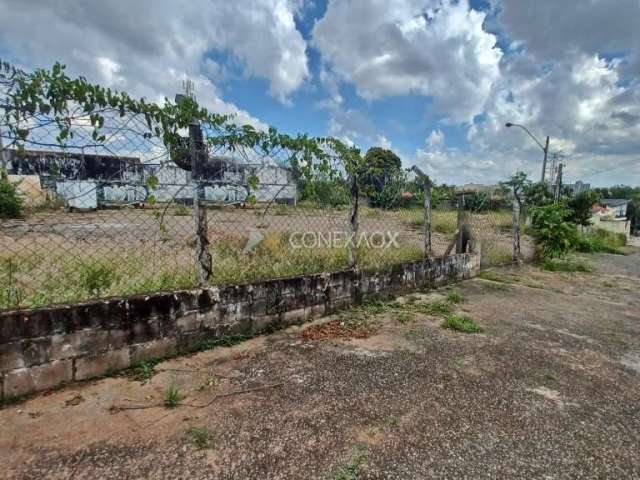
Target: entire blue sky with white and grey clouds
(435,80)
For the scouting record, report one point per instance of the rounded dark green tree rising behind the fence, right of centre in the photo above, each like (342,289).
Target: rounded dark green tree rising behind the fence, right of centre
(380,177)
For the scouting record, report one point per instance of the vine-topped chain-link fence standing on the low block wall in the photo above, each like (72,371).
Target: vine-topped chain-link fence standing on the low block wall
(120,213)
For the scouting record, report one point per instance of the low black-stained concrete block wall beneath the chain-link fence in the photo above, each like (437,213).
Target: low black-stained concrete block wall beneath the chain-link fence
(44,348)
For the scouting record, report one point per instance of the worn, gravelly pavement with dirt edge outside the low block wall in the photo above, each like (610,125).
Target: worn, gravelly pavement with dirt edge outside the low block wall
(550,389)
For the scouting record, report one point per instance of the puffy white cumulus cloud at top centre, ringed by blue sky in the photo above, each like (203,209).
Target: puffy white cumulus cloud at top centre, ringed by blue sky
(426,47)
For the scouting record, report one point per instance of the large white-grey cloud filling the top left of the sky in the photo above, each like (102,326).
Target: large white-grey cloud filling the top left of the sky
(148,47)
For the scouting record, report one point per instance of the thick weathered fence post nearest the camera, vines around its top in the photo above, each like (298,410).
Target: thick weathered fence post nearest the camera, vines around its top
(198,155)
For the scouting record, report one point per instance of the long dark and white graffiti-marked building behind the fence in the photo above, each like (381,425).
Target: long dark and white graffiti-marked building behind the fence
(86,181)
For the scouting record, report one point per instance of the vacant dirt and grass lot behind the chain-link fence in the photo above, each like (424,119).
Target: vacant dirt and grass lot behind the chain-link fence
(60,257)
